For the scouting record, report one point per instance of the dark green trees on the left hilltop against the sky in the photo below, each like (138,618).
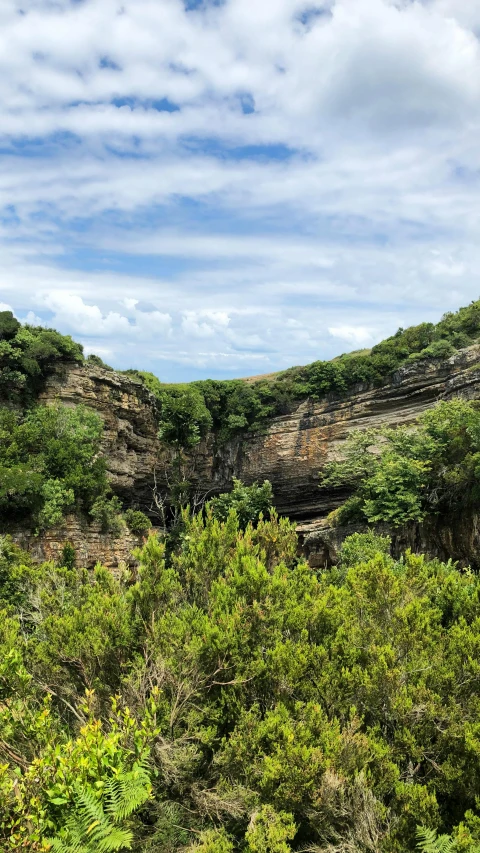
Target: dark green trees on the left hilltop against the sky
(27,355)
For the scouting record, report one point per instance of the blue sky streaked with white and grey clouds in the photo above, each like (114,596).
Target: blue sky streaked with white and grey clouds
(215,189)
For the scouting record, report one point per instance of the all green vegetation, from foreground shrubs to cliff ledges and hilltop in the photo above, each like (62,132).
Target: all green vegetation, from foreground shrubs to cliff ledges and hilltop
(223,697)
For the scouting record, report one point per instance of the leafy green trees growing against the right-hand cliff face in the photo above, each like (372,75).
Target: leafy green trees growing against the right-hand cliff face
(404,474)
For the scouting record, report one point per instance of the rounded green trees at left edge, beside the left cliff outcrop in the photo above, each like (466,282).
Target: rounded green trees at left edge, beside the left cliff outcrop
(50,463)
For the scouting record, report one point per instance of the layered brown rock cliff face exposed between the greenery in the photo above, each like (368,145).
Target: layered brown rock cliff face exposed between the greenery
(291,451)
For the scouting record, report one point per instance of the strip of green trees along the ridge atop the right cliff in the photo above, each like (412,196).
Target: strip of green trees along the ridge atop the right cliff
(230,407)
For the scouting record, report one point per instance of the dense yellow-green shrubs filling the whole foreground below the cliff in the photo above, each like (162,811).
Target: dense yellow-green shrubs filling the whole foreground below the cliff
(233,699)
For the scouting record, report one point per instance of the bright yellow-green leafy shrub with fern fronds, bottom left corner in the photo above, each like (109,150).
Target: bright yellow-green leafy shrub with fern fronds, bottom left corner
(81,790)
